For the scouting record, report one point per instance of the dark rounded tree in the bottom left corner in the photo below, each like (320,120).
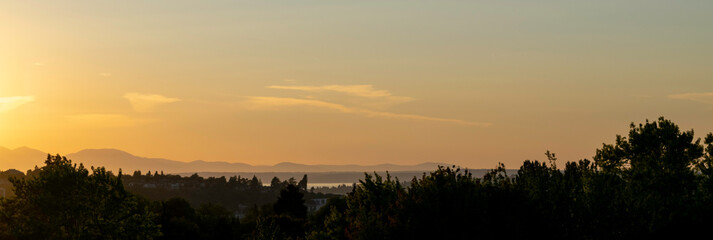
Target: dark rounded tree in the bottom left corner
(65,201)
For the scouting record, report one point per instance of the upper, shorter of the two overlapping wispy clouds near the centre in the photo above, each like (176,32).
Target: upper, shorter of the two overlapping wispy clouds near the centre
(384,97)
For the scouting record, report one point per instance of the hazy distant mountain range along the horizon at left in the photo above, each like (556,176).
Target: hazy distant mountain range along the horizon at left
(24,158)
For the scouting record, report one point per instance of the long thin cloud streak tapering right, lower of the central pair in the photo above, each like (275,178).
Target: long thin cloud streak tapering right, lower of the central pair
(273,103)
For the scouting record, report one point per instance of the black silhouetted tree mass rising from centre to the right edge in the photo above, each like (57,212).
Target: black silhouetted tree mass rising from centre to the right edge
(656,182)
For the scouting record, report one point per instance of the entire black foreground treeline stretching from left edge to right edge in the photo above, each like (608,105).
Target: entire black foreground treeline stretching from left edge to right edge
(655,182)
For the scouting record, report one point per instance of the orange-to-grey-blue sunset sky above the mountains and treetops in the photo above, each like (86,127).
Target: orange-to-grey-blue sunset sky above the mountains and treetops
(470,83)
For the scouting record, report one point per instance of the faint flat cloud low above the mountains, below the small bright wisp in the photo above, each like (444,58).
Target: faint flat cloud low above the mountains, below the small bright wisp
(106,120)
